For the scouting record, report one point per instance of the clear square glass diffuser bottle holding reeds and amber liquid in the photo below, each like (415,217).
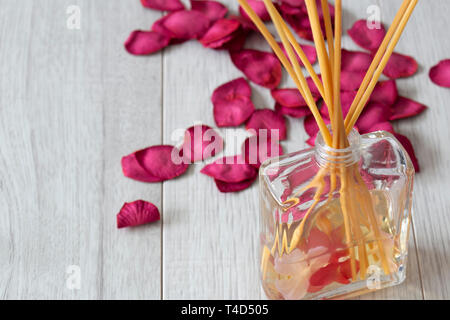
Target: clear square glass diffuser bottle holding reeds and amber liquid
(335,223)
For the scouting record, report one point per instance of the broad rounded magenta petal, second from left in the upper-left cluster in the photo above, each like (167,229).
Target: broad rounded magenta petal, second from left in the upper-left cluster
(182,25)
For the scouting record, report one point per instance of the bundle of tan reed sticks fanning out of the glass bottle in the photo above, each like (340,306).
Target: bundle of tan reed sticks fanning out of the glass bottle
(354,194)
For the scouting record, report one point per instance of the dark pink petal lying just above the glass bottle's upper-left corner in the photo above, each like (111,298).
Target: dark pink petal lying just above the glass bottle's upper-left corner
(256,150)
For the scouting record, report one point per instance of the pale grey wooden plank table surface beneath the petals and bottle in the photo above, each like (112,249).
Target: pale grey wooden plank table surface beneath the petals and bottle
(73,102)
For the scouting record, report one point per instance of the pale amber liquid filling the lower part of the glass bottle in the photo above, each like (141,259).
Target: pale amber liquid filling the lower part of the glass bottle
(322,263)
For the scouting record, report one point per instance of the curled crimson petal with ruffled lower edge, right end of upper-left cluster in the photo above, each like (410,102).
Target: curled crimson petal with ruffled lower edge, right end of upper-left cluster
(220,33)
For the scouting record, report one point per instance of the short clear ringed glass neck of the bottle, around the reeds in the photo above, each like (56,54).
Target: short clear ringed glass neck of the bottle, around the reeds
(326,155)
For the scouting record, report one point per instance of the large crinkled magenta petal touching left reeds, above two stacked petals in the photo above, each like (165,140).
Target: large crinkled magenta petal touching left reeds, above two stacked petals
(261,67)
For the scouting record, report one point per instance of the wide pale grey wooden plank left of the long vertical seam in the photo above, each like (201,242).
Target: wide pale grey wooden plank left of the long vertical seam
(73,102)
